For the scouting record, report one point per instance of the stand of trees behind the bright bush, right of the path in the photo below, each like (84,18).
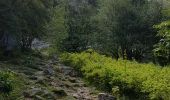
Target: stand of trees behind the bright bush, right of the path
(112,28)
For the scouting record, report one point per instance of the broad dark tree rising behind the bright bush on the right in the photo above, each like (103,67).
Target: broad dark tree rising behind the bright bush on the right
(126,27)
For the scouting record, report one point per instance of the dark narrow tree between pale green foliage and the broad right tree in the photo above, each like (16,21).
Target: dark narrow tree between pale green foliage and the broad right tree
(78,25)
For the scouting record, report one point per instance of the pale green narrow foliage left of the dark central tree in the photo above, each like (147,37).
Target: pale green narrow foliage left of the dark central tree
(56,28)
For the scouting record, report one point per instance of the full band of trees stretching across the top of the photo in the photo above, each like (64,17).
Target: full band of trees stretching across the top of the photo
(117,26)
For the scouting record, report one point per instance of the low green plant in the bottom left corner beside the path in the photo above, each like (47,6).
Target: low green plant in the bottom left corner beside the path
(11,85)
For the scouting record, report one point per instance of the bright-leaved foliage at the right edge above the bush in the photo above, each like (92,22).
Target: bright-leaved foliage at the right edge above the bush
(162,49)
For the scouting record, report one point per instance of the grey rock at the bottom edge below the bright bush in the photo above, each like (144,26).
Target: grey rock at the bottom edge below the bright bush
(105,96)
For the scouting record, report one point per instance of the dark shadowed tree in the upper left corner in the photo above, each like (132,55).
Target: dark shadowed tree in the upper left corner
(24,20)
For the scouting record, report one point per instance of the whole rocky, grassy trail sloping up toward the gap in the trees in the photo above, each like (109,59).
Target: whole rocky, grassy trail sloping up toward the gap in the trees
(45,78)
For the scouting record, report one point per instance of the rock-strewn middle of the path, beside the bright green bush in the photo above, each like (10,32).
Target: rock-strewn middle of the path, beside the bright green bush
(58,82)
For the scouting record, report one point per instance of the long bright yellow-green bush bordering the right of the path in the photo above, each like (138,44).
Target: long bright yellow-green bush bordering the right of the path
(147,80)
